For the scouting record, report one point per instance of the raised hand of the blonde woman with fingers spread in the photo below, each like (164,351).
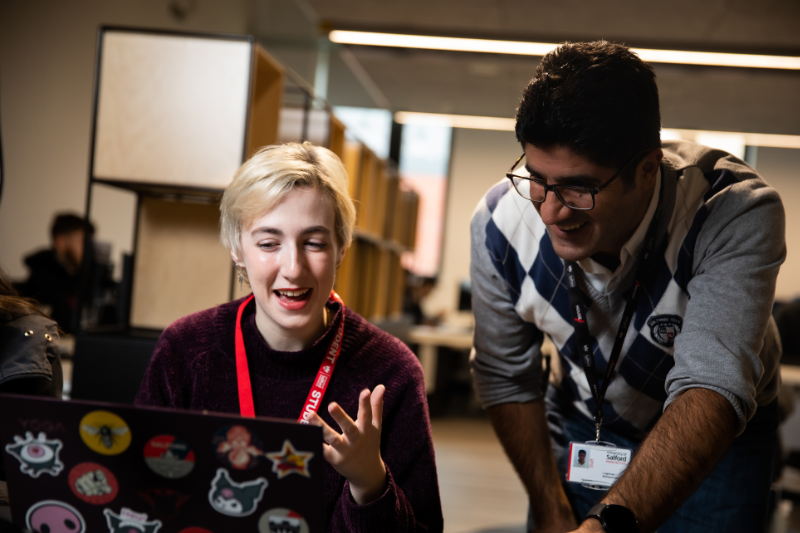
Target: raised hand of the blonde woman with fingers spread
(356,452)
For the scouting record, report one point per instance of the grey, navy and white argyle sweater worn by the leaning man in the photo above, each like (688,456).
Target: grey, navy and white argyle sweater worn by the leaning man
(703,319)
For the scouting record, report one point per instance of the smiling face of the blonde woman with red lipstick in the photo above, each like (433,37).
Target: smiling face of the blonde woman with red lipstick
(291,253)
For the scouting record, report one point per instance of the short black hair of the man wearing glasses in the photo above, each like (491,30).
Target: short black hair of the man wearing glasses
(597,99)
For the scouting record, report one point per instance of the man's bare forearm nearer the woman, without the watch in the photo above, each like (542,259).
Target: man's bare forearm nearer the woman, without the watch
(522,429)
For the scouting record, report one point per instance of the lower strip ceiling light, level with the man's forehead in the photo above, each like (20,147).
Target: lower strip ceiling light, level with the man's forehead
(507,124)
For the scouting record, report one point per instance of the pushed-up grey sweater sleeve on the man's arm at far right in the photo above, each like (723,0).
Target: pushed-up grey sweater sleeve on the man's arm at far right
(738,252)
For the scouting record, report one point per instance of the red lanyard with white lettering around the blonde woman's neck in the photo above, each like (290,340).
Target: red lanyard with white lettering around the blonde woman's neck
(320,384)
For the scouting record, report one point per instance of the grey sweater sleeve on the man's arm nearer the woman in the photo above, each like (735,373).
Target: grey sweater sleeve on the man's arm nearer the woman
(506,357)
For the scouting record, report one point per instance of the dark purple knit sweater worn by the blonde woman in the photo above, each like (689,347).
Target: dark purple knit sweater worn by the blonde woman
(194,367)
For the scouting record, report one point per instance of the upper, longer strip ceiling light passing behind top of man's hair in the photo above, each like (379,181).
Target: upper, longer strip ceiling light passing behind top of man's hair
(540,49)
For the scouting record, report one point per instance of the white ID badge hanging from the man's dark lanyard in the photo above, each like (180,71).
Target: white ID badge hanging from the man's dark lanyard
(596,465)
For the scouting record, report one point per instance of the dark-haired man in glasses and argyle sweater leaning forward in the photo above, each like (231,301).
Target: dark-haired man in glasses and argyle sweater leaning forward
(651,266)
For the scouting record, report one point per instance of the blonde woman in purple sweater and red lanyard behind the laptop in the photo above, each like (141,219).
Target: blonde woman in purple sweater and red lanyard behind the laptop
(287,221)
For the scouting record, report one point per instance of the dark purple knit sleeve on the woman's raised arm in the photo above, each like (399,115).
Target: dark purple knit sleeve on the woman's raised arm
(411,501)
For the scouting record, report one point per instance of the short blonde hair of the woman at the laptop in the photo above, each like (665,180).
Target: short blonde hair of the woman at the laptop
(267,177)
